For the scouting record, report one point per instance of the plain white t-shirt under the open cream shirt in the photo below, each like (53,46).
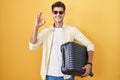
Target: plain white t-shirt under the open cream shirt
(54,68)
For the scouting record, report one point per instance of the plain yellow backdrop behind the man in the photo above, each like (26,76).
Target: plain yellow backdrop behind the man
(99,20)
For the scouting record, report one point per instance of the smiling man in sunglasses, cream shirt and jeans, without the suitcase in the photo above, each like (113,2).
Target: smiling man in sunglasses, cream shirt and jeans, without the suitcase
(52,38)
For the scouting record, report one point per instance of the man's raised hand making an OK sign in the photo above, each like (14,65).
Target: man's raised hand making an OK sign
(39,21)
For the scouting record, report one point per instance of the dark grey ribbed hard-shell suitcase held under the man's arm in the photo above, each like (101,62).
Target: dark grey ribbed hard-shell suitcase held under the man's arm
(74,57)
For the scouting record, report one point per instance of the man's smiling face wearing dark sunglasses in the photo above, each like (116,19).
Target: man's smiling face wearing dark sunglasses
(58,14)
